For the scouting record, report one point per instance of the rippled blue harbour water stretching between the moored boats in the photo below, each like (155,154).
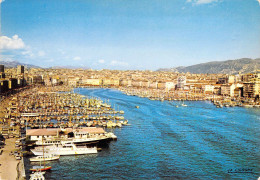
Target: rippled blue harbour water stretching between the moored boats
(199,141)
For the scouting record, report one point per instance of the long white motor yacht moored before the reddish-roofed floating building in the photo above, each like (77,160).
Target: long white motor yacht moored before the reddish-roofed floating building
(65,149)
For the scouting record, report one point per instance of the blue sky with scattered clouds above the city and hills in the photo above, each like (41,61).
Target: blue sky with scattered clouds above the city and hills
(128,34)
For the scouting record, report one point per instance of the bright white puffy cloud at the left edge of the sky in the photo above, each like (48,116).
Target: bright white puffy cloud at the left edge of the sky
(11,43)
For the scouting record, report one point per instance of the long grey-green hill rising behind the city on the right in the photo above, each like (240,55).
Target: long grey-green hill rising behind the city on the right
(244,65)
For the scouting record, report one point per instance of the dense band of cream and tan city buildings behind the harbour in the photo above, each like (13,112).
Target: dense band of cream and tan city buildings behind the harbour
(243,89)
